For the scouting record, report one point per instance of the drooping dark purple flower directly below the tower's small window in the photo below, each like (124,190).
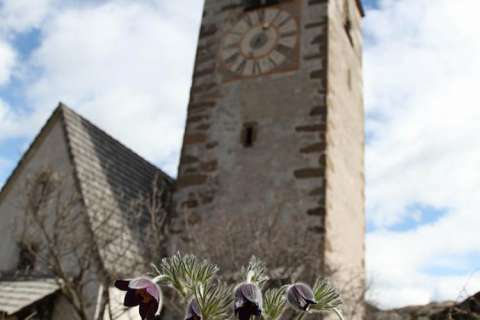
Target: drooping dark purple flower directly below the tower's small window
(248,301)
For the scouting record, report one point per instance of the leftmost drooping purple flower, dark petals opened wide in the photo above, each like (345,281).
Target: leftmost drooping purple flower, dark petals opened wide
(142,292)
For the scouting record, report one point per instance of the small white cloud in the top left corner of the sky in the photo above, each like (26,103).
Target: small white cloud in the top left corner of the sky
(22,15)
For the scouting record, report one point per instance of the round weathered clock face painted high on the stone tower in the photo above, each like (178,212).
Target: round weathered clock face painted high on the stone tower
(263,41)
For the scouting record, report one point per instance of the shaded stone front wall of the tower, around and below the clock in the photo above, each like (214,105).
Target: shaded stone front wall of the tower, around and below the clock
(284,171)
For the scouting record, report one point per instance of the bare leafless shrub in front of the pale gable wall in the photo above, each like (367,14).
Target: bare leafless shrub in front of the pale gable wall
(55,233)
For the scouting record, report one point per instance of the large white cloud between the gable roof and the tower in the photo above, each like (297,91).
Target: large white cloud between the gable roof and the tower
(125,65)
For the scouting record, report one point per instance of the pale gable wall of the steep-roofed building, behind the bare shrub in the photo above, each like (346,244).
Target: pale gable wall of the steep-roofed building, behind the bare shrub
(50,151)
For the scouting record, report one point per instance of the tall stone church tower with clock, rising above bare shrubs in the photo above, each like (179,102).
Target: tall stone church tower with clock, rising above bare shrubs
(275,120)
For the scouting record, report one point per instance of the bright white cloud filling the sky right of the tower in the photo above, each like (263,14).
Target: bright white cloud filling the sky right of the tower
(421,91)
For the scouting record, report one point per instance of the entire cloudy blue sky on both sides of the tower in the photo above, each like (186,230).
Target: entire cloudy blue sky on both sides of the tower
(126,65)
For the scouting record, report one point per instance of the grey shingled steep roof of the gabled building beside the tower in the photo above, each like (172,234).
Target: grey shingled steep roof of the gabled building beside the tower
(109,177)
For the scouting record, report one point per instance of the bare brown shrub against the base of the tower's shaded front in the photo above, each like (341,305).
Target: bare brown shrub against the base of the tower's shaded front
(232,240)
